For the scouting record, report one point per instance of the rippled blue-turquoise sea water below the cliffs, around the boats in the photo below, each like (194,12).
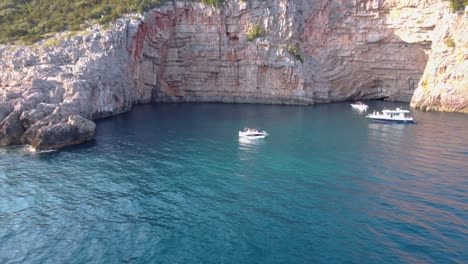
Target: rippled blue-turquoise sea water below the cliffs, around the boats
(173,184)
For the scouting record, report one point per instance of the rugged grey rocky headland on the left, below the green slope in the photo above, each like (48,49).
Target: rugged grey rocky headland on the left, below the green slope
(52,90)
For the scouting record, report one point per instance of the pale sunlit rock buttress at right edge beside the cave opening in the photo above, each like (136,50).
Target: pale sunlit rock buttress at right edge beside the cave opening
(444,85)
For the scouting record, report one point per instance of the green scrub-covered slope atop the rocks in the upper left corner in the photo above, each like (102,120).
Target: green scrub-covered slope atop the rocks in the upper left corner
(28,21)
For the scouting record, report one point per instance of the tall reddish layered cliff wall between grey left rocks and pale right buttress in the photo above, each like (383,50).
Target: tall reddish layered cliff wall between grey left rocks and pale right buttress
(350,50)
